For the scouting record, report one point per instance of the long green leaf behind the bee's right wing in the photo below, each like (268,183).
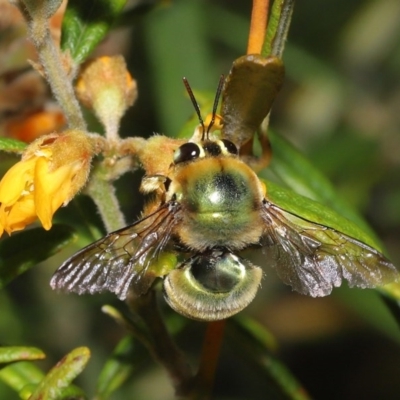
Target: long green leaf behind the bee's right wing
(328,209)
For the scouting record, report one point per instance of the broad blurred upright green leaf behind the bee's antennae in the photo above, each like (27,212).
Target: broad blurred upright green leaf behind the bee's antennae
(169,63)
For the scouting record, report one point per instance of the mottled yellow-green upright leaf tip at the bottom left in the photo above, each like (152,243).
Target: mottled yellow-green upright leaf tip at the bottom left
(61,375)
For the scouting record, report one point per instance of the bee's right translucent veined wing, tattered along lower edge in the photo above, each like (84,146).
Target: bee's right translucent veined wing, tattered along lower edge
(313,258)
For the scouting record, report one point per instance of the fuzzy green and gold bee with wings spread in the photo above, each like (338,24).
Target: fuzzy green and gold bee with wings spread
(208,208)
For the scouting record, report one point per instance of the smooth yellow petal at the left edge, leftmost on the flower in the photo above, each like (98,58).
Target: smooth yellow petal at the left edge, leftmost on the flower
(16,180)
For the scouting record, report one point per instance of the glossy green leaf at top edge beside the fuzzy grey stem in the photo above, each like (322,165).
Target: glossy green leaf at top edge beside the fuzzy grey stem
(86,23)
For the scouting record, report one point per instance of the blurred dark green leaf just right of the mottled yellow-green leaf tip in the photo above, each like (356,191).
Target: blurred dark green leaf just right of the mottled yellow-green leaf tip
(117,369)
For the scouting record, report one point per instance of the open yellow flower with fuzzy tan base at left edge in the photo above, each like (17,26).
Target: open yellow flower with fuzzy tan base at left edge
(52,170)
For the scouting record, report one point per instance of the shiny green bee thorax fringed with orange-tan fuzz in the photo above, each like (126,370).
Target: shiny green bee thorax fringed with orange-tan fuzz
(220,200)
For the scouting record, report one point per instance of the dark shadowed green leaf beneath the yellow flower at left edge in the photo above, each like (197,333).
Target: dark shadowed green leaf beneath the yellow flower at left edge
(24,250)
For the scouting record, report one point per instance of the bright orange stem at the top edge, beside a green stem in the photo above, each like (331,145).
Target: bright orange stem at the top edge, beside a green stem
(258,24)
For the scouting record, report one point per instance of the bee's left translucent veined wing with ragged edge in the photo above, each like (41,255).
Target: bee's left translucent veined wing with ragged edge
(123,256)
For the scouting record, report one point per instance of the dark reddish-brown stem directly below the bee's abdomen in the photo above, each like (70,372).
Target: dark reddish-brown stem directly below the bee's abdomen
(209,358)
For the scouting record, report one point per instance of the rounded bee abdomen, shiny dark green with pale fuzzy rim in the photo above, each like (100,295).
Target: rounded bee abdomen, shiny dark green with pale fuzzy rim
(210,288)
